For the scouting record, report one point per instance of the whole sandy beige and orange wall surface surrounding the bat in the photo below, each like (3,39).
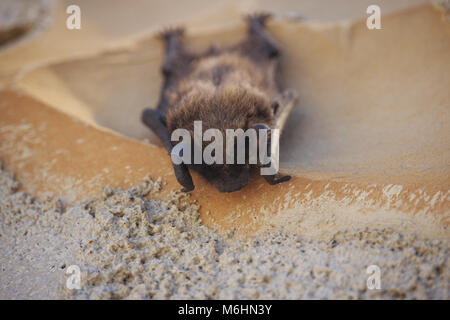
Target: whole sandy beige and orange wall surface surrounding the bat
(367,145)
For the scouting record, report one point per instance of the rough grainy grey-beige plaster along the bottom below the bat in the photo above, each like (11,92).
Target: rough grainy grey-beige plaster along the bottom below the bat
(132,247)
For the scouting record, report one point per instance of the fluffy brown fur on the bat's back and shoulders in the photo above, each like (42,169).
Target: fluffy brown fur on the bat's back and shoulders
(227,91)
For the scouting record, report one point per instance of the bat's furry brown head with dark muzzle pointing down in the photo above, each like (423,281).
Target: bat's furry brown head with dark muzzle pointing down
(228,109)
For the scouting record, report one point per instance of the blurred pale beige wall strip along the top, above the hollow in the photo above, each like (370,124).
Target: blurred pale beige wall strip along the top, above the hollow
(106,22)
